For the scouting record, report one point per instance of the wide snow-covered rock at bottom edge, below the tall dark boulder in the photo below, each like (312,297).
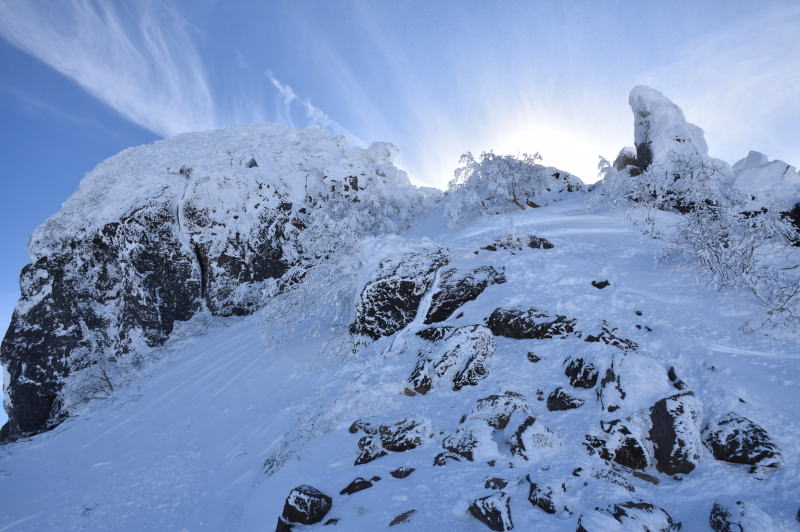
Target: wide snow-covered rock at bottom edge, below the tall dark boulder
(633,515)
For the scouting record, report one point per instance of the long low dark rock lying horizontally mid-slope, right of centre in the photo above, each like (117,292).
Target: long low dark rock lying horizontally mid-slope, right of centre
(529,324)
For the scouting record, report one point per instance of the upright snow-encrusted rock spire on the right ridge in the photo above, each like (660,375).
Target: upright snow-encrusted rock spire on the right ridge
(660,128)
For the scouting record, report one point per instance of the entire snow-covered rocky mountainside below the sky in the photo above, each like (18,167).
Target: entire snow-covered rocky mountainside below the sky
(494,358)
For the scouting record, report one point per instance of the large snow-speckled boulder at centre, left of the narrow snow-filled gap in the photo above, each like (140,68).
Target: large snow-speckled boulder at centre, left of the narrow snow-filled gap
(389,301)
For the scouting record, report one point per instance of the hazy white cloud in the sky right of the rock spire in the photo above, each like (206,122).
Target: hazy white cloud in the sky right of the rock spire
(740,83)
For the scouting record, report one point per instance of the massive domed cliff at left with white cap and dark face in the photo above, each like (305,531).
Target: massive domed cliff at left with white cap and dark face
(160,232)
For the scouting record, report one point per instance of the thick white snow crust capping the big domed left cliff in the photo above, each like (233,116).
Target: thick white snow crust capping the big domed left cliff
(225,165)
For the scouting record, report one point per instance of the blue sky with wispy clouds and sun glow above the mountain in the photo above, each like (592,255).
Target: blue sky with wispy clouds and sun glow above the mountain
(81,80)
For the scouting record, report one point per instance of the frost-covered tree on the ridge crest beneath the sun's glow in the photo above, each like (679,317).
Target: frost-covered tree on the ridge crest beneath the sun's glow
(496,184)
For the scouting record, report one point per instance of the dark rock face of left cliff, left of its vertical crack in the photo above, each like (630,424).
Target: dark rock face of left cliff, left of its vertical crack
(90,296)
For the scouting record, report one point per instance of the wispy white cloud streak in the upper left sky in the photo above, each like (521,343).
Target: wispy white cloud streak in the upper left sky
(142,62)
